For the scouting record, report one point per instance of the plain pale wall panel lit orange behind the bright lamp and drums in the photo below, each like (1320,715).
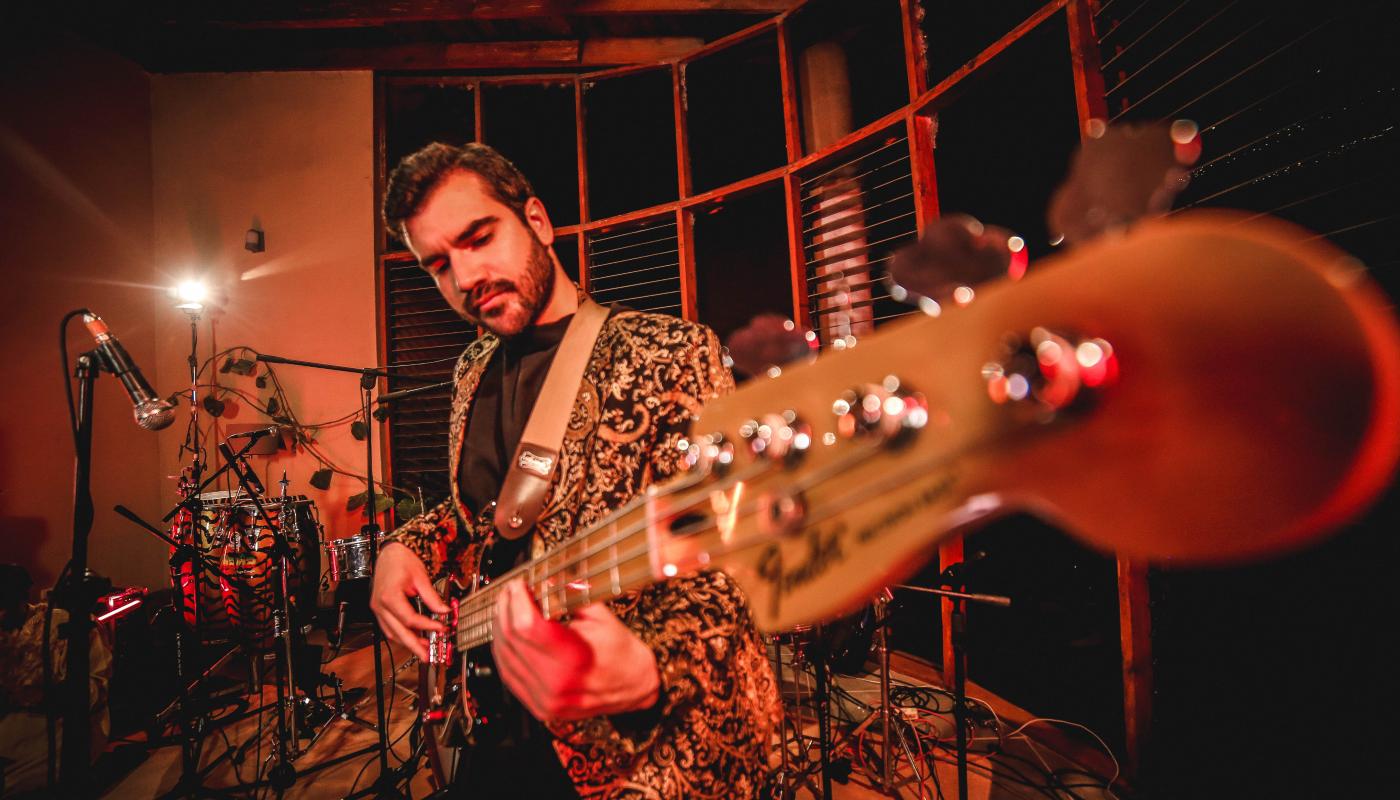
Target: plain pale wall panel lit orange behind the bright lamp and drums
(293,153)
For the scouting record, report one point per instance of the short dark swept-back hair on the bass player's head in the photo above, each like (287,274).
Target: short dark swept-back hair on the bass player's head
(415,179)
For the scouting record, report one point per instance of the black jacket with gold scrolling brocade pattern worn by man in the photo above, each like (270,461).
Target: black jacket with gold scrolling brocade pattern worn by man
(646,380)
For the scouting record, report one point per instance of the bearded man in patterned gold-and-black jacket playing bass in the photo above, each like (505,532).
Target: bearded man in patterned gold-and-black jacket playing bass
(659,693)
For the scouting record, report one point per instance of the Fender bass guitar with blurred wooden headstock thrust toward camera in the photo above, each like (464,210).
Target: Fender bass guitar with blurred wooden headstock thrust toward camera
(1206,389)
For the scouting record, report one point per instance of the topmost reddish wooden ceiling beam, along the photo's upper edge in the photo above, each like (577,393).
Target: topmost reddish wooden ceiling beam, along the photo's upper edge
(299,15)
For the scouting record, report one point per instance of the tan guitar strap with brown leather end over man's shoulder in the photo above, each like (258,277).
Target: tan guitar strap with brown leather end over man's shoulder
(537,456)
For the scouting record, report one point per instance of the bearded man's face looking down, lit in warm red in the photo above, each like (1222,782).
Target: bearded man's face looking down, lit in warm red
(489,265)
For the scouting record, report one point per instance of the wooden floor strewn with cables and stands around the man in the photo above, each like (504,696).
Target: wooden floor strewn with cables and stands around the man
(1017,770)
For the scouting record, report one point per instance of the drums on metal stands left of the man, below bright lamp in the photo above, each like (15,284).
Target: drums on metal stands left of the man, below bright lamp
(247,572)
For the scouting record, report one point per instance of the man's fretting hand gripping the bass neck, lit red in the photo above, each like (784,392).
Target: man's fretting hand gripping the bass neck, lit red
(593,666)
